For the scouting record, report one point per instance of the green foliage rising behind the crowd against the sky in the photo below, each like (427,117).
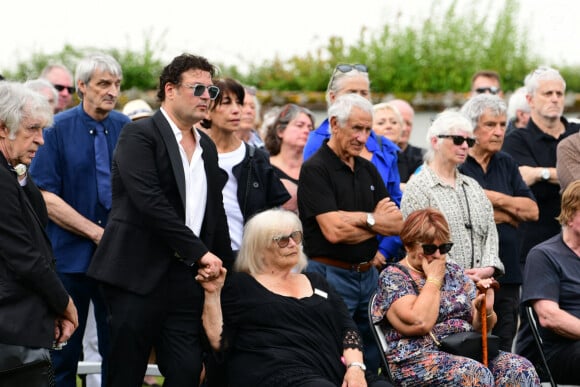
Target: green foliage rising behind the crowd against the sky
(439,54)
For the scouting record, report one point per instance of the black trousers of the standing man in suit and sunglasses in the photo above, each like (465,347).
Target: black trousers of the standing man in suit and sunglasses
(168,318)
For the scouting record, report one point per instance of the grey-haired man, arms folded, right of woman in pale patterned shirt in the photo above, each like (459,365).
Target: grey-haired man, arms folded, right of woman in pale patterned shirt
(512,200)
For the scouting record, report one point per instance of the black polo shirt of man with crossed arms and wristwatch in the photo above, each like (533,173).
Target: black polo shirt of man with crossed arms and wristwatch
(327,184)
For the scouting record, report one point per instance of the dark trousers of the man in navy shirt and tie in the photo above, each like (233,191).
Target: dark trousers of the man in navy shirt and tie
(83,290)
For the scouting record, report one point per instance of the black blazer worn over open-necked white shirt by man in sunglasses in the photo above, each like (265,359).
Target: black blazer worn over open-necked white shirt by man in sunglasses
(146,229)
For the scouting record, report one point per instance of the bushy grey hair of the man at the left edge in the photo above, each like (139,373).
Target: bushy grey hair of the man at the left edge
(18,103)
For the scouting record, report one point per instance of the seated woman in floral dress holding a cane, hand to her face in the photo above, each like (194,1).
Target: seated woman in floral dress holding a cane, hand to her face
(426,297)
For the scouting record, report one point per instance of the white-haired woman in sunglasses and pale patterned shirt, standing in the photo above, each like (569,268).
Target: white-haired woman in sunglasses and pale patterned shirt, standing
(467,209)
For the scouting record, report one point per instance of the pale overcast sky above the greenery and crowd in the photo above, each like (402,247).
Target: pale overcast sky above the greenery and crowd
(242,32)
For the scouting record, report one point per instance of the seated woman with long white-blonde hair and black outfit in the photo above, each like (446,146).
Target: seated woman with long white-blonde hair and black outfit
(276,326)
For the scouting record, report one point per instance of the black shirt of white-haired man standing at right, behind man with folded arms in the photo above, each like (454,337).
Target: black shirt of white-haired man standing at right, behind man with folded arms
(532,147)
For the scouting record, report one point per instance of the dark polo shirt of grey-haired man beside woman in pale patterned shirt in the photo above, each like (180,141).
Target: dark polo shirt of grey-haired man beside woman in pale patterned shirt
(503,176)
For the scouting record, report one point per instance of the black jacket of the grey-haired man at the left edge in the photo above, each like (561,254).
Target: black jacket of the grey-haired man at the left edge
(31,294)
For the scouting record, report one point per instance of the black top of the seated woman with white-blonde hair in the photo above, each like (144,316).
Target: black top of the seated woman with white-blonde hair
(279,341)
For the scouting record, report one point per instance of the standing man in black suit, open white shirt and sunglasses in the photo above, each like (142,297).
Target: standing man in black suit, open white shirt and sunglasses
(166,223)
